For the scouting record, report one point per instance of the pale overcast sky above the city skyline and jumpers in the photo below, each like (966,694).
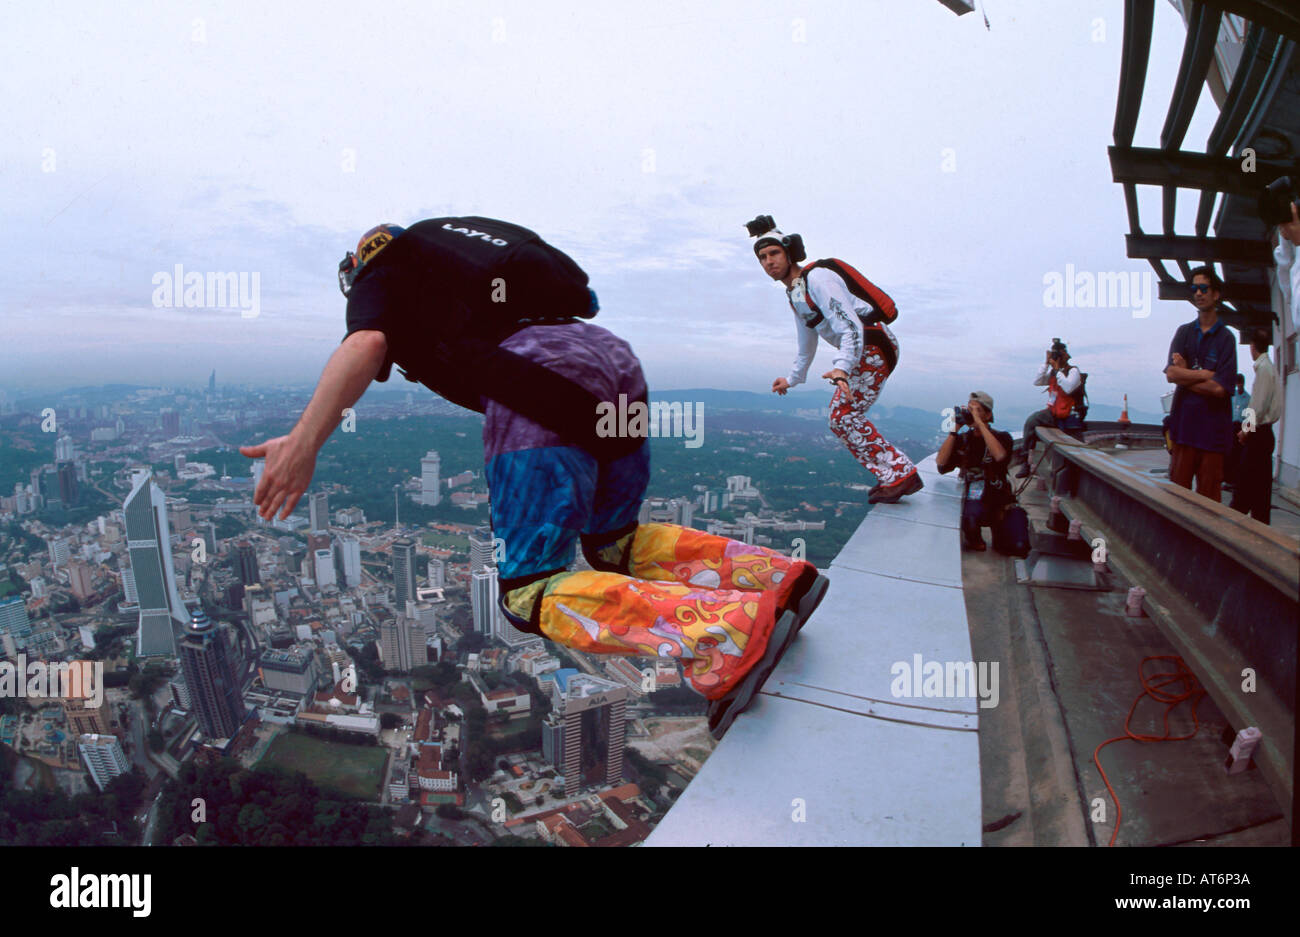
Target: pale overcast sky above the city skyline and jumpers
(957,167)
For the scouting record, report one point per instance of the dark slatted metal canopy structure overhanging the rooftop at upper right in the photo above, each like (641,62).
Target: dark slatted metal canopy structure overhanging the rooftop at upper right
(1259,125)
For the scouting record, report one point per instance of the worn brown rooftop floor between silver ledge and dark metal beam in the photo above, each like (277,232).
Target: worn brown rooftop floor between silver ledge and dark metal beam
(1076,663)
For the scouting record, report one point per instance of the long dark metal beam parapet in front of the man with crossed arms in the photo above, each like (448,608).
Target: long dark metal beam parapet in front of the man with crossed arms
(1224,588)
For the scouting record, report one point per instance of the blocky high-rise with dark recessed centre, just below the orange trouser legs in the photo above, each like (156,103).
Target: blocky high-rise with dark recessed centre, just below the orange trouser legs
(586,731)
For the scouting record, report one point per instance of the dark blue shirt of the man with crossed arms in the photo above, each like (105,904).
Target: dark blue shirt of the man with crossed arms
(1197,420)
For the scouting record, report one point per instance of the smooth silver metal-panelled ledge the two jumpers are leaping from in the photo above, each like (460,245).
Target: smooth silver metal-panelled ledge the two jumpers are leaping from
(827,756)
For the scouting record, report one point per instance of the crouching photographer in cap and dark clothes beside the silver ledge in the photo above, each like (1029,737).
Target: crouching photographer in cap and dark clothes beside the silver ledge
(983,456)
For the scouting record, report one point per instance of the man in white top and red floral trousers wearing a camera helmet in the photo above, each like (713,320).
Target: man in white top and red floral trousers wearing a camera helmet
(834,302)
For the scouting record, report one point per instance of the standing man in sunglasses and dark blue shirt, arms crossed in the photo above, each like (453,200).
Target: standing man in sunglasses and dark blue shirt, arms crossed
(1203,366)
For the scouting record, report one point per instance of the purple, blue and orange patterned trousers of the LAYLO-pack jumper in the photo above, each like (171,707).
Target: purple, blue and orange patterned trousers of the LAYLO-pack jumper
(705,601)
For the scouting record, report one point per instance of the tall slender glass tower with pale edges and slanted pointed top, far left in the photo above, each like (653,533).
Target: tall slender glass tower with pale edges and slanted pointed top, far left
(149,541)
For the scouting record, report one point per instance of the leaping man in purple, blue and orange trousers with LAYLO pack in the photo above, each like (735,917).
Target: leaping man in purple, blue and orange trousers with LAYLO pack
(491,318)
